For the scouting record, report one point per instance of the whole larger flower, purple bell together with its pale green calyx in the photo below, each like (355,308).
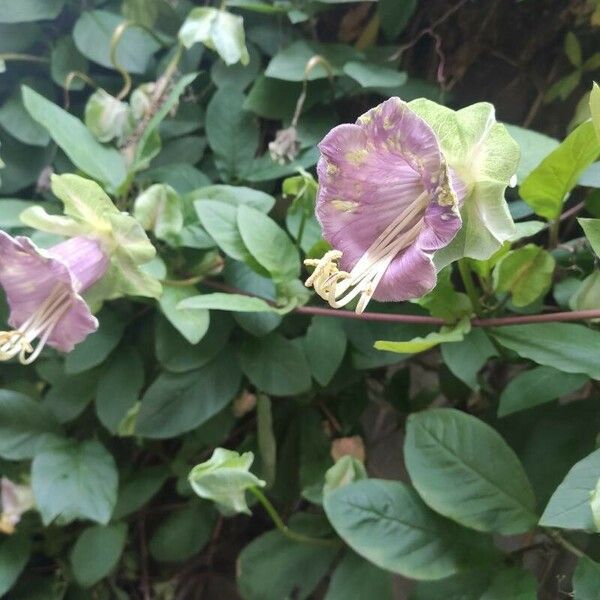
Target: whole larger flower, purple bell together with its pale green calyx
(391,198)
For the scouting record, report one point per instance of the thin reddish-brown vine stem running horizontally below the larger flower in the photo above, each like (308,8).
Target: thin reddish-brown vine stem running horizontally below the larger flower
(576,315)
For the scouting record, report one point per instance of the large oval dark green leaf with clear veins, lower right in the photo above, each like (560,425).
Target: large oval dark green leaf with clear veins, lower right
(464,470)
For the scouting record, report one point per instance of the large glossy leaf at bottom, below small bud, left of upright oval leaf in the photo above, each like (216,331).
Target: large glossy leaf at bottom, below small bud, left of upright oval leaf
(388,524)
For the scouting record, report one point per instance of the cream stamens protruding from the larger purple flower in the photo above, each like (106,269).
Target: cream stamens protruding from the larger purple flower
(340,287)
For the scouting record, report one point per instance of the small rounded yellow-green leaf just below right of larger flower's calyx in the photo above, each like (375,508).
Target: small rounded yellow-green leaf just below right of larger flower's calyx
(526,273)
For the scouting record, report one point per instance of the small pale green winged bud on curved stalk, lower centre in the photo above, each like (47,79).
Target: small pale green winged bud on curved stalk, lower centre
(224,479)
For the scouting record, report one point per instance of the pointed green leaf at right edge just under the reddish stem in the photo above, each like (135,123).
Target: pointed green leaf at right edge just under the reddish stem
(567,347)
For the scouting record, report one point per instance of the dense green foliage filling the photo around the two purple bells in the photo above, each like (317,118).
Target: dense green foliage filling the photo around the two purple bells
(222,416)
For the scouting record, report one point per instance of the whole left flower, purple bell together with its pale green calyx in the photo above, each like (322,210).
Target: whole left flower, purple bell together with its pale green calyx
(49,292)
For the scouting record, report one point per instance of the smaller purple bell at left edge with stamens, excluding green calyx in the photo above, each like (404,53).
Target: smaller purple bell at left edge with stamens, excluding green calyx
(43,290)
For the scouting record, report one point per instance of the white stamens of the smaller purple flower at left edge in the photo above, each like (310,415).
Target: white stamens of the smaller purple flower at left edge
(40,324)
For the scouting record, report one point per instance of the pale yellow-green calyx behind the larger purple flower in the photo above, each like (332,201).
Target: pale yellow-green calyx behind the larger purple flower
(485,158)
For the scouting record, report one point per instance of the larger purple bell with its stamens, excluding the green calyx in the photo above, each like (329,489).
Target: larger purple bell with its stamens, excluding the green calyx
(387,201)
